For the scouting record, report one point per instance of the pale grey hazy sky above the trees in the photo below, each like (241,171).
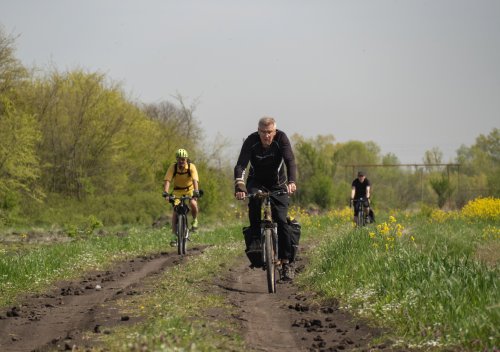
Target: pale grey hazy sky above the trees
(409,75)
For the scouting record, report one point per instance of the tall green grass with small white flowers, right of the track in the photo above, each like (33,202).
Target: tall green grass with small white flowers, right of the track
(431,292)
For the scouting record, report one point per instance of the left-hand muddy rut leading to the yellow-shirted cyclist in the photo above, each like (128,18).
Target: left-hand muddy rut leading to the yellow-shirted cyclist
(58,320)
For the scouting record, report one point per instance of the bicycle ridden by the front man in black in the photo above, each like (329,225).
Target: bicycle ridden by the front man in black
(269,237)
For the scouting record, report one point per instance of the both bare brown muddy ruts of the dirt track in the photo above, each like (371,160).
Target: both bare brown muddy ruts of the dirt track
(286,321)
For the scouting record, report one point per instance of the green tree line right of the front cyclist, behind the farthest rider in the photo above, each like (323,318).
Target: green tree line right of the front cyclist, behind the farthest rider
(327,169)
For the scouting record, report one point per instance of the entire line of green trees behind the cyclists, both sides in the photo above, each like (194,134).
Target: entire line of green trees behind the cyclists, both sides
(73,145)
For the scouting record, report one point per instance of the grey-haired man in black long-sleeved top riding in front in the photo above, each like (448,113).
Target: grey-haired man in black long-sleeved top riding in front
(272,167)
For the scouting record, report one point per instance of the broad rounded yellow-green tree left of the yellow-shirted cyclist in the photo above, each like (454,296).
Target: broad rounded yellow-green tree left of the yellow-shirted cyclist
(81,116)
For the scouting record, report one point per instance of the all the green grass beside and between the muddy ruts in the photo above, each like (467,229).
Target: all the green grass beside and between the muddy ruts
(432,281)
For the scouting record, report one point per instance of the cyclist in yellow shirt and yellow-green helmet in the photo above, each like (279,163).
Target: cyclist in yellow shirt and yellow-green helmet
(184,176)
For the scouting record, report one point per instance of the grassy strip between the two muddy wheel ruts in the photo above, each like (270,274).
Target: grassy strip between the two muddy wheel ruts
(177,307)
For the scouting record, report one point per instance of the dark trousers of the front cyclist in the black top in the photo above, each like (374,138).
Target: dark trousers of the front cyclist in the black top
(279,210)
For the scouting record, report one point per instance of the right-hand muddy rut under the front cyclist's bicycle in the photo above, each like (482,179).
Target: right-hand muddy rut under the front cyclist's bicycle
(292,320)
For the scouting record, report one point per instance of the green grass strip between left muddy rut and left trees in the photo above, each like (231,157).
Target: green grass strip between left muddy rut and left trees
(34,267)
